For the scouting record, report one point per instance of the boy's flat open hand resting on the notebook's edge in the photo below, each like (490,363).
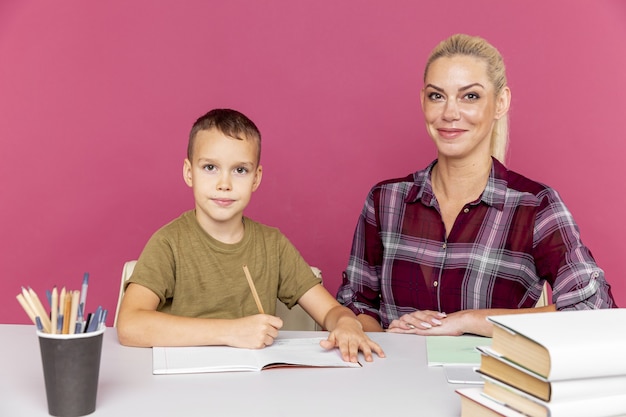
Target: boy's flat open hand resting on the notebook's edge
(349,337)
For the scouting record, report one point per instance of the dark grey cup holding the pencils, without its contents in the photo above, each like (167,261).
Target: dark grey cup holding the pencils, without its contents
(71,367)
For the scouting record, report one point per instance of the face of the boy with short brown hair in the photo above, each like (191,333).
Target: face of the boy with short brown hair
(223,175)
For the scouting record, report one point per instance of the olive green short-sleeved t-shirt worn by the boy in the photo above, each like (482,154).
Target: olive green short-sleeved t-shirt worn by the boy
(195,275)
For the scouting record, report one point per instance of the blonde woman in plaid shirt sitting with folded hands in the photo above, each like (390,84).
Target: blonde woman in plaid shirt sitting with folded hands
(465,236)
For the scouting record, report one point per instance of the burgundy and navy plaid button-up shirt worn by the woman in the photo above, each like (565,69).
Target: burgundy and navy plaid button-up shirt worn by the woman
(500,251)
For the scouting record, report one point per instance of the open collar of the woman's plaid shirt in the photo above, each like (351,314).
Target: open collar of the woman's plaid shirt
(493,195)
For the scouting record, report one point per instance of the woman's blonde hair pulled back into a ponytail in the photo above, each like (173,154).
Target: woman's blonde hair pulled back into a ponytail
(477,47)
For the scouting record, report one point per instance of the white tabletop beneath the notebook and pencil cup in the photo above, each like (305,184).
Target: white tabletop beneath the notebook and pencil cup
(400,385)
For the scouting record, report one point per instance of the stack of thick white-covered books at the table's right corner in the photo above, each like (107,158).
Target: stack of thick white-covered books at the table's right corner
(570,363)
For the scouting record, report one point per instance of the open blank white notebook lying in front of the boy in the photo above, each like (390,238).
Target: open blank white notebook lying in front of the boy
(304,352)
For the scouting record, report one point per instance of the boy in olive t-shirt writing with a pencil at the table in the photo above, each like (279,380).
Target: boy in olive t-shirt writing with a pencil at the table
(189,287)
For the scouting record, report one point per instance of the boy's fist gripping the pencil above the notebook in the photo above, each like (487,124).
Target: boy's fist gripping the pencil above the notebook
(255,332)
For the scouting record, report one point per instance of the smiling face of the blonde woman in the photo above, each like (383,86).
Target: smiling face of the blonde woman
(460,106)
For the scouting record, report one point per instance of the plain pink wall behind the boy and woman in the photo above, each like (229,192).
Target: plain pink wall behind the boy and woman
(96,99)
